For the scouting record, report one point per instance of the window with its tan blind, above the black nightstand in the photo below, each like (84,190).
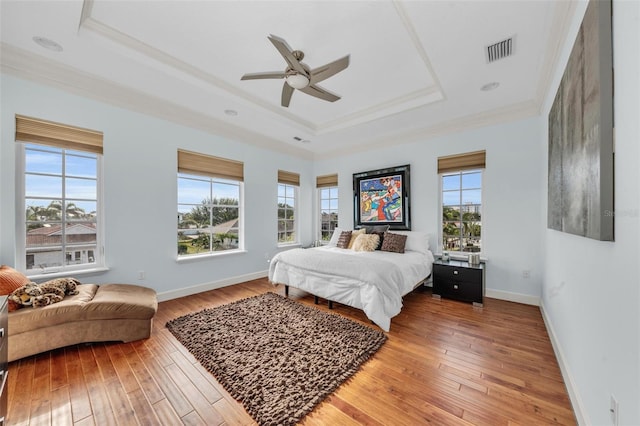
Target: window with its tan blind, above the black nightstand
(461,207)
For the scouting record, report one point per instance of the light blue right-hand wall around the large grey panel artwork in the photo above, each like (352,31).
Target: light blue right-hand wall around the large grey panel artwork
(591,289)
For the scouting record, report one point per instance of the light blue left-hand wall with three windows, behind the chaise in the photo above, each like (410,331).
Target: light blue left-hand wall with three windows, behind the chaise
(140,187)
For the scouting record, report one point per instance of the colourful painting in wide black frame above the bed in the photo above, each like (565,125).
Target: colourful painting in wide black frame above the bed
(381,197)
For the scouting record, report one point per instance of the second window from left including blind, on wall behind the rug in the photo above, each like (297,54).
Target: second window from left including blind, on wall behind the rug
(209,204)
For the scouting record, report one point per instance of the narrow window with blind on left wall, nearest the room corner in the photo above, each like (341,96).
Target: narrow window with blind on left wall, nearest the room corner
(288,184)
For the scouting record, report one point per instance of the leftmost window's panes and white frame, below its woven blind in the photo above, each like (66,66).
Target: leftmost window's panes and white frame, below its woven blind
(61,205)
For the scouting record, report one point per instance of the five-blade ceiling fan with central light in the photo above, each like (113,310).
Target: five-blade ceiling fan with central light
(298,75)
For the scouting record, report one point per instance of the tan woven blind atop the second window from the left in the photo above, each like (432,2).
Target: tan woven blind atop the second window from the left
(208,165)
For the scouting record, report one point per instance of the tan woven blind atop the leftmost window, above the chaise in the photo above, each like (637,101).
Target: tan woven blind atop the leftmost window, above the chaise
(45,132)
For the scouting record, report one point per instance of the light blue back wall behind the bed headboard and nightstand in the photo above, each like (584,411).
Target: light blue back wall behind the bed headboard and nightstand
(511,220)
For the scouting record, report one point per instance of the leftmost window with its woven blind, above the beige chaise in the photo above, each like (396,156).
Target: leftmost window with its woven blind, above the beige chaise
(61,196)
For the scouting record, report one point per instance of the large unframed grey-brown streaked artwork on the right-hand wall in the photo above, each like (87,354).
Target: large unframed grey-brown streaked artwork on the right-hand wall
(581,157)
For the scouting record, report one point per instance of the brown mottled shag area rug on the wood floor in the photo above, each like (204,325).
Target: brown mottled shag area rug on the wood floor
(278,357)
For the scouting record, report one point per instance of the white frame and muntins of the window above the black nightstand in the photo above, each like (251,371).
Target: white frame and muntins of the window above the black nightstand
(441,191)
